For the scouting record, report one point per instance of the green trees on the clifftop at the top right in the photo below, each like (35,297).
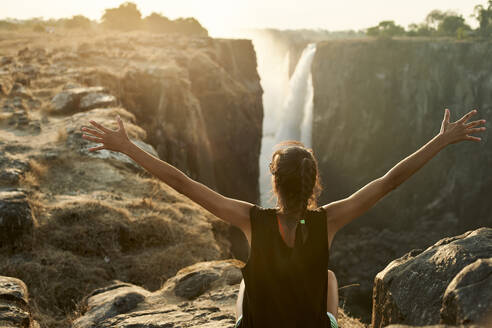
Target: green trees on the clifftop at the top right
(440,24)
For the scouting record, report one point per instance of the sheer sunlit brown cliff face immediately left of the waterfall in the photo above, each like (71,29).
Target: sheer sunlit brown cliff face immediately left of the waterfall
(201,107)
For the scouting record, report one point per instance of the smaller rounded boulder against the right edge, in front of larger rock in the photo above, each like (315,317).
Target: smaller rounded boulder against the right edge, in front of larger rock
(469,295)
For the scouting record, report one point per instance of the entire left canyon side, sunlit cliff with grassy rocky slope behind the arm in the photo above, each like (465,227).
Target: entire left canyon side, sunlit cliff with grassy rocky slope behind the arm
(73,220)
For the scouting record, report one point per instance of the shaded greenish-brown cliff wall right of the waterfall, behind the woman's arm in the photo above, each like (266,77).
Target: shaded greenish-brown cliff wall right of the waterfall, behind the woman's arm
(376,102)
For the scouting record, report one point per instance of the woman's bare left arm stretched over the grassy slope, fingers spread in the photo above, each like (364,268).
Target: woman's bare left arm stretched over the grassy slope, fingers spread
(231,210)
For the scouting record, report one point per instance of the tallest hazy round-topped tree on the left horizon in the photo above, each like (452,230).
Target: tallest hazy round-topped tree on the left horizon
(126,17)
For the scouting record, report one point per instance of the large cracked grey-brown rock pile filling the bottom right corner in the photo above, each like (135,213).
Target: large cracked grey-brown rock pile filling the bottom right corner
(445,283)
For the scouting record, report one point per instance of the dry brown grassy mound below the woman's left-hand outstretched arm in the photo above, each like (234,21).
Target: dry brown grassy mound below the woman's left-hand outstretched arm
(82,244)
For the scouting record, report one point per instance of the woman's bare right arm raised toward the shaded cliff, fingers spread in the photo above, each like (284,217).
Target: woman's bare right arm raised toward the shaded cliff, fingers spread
(341,212)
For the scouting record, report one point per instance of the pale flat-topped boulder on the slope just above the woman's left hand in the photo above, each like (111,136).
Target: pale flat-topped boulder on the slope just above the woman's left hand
(77,99)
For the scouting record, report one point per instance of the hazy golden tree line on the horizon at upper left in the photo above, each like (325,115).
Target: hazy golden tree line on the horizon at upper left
(126,17)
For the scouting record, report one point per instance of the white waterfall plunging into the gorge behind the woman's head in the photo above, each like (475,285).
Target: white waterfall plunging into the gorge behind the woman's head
(288,106)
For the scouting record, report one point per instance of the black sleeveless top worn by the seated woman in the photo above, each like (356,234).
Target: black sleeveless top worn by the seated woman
(286,287)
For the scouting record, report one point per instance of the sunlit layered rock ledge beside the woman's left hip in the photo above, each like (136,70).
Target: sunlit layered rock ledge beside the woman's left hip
(202,295)
